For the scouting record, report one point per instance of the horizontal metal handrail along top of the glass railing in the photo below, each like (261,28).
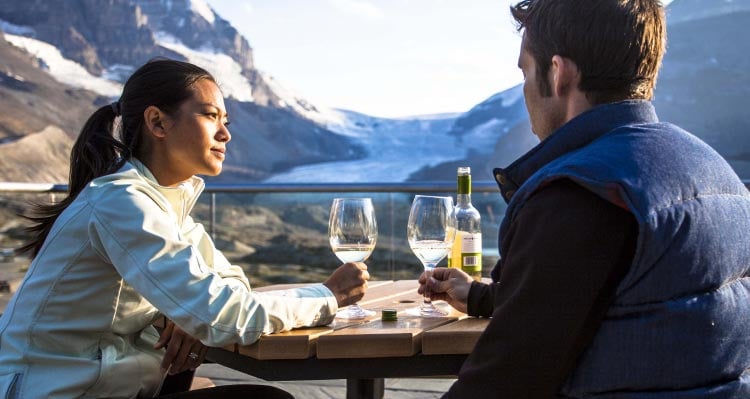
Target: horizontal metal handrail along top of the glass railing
(406,187)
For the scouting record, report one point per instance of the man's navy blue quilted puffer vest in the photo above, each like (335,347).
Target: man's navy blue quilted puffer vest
(679,326)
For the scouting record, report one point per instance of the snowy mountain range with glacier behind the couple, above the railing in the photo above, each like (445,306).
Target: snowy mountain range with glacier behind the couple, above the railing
(60,59)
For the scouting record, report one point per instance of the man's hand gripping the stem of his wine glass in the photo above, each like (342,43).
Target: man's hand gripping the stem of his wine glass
(448,284)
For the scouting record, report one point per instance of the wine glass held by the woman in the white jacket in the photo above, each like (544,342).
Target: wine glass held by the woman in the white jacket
(352,232)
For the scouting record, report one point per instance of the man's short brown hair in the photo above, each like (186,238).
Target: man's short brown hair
(617,45)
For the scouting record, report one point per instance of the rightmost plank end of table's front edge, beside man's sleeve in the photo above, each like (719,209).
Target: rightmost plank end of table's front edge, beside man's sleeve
(454,338)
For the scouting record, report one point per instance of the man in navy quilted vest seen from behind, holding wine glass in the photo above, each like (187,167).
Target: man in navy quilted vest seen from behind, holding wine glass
(625,269)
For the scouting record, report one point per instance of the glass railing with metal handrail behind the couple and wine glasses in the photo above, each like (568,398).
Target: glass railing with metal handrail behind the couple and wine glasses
(278,234)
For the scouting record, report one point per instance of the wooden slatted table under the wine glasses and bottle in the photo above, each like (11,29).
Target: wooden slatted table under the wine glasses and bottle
(363,352)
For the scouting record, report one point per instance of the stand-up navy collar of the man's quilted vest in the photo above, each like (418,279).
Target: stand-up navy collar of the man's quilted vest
(577,133)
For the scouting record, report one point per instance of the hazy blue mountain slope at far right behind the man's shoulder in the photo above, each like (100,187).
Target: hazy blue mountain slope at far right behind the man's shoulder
(705,82)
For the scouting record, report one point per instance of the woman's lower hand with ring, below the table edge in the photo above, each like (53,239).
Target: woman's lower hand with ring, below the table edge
(183,351)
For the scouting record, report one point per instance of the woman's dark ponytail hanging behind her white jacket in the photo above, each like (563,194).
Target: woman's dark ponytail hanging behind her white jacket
(95,153)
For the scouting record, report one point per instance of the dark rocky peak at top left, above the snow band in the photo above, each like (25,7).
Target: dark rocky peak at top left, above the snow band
(99,33)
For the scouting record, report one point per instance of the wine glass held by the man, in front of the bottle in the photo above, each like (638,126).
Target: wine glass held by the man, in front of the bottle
(431,231)
